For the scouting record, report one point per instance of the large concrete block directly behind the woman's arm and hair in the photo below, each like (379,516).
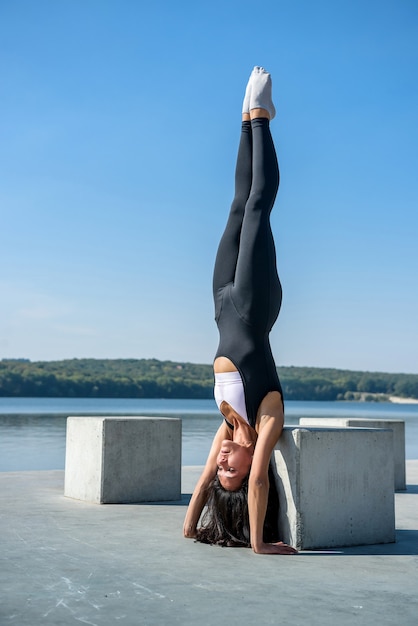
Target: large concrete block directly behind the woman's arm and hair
(335,487)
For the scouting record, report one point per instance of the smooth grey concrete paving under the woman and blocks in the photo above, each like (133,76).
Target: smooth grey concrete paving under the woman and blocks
(70,562)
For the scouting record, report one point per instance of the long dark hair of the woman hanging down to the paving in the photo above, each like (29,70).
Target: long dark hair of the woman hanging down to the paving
(226,521)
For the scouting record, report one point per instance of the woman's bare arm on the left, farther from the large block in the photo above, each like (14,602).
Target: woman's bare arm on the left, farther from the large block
(200,492)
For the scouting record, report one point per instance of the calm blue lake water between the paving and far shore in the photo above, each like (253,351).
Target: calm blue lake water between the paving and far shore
(32,430)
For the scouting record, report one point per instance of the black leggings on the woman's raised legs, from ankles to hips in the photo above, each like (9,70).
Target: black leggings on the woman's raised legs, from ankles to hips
(246,255)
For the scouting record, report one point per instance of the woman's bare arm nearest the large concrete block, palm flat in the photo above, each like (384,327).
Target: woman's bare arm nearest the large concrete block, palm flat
(271,426)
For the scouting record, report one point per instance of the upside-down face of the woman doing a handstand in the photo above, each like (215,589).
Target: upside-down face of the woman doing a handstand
(234,462)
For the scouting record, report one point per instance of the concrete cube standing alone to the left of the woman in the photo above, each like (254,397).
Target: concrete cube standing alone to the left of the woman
(123,459)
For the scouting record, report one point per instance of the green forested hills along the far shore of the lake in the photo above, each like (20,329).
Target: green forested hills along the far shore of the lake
(151,378)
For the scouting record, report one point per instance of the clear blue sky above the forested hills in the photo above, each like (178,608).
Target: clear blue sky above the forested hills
(118,136)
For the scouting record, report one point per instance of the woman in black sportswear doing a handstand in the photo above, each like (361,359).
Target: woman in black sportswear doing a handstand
(247,294)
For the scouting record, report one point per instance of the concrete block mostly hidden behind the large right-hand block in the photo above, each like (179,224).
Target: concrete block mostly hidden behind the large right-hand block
(397,426)
